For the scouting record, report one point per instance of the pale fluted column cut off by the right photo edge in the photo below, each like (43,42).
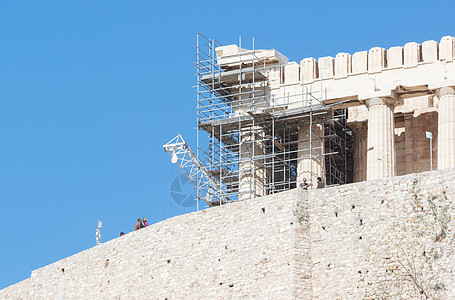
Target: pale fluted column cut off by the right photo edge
(446,127)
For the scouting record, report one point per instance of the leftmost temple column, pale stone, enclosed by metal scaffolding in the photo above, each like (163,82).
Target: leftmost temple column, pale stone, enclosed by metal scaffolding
(252,174)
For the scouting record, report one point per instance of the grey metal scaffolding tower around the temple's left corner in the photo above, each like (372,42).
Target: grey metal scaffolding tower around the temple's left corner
(260,129)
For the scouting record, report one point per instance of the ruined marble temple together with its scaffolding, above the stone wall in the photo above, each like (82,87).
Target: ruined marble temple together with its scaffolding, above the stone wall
(346,118)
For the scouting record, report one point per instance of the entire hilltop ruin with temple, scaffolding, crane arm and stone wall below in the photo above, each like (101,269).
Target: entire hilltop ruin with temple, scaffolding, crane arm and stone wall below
(373,119)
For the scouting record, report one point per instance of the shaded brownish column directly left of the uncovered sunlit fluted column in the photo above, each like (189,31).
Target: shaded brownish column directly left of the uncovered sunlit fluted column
(360,150)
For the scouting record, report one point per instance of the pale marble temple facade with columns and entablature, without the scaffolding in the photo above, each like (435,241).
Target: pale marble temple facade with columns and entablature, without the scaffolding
(399,104)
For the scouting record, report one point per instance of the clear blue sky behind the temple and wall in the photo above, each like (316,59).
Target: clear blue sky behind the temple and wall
(91,90)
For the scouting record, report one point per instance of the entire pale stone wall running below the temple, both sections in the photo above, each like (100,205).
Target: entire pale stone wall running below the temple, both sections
(384,239)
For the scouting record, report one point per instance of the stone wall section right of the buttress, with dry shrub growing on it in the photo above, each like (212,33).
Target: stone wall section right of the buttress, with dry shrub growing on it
(385,239)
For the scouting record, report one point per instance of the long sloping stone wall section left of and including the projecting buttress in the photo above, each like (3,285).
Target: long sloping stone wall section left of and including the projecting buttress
(233,251)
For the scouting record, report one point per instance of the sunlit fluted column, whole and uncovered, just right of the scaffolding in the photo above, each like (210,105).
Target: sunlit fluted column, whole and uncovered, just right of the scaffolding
(381,138)
